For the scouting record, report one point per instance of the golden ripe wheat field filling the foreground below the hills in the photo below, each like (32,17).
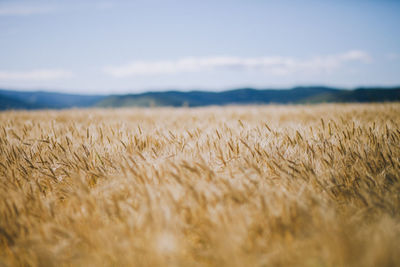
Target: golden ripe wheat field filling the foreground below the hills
(219,186)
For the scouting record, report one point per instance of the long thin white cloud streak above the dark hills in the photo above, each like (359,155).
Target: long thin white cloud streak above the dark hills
(274,65)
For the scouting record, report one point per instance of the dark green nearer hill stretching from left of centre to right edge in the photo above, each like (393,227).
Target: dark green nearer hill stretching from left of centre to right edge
(245,96)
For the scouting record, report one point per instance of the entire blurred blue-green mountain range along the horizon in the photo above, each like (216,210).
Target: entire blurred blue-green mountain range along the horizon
(299,95)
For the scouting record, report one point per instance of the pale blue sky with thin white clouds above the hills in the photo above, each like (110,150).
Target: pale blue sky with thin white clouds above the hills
(102,47)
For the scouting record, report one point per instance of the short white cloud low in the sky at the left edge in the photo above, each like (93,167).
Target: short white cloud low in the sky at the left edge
(34,75)
